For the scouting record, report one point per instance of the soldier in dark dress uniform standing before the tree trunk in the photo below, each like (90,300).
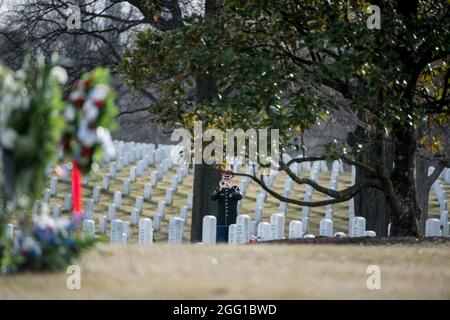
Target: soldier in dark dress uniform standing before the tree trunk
(227,196)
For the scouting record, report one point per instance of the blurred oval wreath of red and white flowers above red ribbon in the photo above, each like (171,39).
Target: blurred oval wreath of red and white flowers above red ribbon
(89,112)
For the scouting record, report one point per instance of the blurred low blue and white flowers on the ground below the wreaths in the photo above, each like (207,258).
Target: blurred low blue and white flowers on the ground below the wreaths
(51,245)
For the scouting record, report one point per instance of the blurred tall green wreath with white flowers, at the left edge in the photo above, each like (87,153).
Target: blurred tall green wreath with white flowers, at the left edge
(30,125)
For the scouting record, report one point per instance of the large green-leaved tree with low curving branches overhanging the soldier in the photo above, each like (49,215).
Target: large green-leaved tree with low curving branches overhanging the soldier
(287,64)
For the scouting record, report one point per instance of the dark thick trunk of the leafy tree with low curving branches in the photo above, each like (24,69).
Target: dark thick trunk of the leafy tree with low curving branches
(406,212)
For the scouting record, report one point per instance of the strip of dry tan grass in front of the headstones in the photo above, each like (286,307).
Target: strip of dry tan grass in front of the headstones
(259,271)
